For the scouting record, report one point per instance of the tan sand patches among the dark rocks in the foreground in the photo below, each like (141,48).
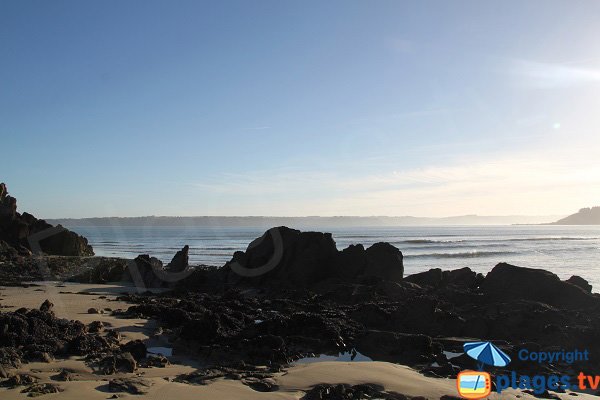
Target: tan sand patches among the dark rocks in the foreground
(73,301)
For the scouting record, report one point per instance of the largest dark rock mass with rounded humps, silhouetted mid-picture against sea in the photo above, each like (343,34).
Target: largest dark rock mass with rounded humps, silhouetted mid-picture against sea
(293,258)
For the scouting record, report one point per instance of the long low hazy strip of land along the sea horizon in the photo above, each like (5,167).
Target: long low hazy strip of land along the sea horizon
(306,222)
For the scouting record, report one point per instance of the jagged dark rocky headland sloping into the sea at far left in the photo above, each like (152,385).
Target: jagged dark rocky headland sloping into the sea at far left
(24,231)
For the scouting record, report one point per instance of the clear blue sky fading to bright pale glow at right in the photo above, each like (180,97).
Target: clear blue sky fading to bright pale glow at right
(294,108)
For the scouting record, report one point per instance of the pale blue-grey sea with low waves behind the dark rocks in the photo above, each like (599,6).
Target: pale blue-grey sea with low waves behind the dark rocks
(564,250)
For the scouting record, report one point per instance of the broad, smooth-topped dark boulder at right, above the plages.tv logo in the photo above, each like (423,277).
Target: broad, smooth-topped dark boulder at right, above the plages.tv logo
(507,282)
